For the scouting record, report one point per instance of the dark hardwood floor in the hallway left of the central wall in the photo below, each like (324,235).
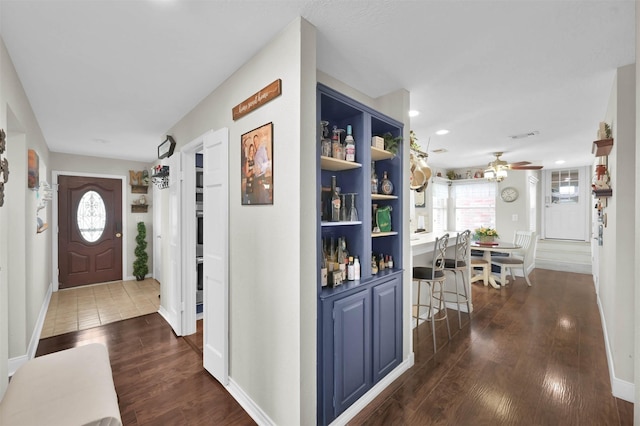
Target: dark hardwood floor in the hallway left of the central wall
(158,377)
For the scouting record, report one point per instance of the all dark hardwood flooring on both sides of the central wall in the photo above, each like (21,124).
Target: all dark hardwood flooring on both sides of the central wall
(530,356)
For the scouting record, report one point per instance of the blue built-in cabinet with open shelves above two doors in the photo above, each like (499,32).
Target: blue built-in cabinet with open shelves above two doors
(359,322)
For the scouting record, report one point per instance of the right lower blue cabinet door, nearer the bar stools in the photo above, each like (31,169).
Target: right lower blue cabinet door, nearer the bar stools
(387,327)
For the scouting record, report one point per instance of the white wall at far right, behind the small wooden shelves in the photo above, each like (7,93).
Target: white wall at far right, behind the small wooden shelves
(617,254)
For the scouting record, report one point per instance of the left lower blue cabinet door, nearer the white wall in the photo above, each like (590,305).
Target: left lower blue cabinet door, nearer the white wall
(352,346)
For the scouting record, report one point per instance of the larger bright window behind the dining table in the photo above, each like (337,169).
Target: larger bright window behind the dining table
(475,205)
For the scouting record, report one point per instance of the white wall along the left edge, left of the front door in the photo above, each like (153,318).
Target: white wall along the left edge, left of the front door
(22,292)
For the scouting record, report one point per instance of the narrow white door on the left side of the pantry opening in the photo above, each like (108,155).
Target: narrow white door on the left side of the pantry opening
(171,298)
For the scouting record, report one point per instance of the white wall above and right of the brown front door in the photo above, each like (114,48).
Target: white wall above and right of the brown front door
(78,164)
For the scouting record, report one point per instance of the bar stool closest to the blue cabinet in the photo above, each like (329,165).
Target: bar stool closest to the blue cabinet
(434,277)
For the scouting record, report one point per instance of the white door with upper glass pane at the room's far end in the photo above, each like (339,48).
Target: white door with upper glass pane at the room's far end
(565,204)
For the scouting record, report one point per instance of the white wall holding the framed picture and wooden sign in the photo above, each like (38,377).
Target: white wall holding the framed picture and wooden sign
(267,285)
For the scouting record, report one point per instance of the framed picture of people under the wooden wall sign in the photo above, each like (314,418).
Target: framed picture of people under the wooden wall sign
(256,157)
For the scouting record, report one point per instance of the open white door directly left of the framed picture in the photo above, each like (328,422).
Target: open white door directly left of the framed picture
(216,248)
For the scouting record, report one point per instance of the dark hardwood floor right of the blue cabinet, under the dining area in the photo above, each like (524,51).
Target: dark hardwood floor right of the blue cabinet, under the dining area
(530,356)
